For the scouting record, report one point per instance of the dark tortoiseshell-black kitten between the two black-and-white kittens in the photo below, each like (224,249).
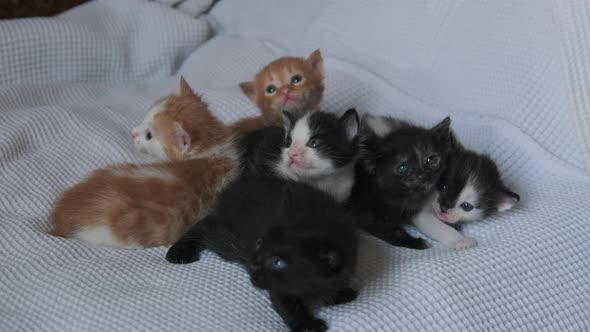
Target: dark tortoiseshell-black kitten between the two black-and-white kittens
(397,175)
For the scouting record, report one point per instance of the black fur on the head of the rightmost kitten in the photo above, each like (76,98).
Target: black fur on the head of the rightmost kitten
(484,174)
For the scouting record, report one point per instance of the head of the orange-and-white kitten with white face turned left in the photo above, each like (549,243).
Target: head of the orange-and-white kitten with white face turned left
(175,122)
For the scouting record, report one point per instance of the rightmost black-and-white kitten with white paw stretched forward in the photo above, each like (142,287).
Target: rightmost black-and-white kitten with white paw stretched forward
(470,189)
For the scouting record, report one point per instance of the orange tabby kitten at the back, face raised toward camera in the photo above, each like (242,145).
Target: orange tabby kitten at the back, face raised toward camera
(292,84)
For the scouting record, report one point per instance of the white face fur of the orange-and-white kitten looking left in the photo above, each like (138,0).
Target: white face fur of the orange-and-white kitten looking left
(153,146)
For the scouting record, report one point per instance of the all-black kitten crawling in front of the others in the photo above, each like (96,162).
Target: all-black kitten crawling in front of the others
(293,240)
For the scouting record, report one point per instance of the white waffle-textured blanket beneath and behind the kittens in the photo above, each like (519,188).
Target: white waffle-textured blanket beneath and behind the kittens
(499,68)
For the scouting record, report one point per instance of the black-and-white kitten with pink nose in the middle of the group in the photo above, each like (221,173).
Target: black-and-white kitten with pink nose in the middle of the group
(319,149)
